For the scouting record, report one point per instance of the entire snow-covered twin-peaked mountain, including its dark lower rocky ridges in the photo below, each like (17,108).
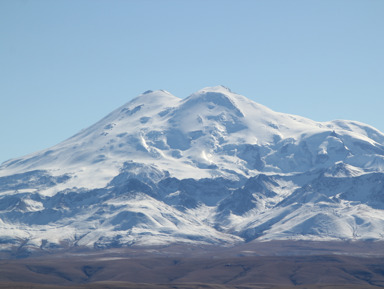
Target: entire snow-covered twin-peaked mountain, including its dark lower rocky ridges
(213,168)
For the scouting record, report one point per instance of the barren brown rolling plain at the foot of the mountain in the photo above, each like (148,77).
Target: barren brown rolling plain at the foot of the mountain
(257,265)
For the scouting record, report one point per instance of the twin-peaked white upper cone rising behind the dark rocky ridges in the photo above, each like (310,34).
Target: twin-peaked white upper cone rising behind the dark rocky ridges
(213,132)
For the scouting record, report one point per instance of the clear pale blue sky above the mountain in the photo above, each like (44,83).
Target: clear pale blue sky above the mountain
(64,64)
